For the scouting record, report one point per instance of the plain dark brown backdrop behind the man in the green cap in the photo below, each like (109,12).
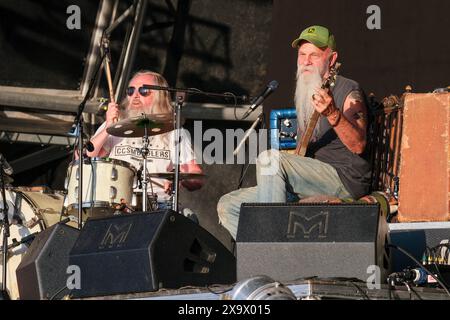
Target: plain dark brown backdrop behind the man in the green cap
(411,47)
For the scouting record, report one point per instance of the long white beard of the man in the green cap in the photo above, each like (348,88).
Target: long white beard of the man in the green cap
(306,86)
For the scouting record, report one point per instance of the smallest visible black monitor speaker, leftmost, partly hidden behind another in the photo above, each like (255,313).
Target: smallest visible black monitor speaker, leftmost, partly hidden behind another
(42,273)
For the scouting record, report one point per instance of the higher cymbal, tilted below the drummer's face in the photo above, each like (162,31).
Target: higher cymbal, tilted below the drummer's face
(135,126)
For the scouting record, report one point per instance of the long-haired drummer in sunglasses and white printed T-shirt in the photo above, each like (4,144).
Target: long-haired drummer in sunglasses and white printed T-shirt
(161,155)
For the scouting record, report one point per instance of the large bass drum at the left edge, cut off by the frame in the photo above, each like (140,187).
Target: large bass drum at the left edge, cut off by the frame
(29,212)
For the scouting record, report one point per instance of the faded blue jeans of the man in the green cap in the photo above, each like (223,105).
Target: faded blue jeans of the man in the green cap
(278,176)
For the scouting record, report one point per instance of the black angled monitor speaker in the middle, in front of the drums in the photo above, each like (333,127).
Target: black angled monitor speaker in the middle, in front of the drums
(147,251)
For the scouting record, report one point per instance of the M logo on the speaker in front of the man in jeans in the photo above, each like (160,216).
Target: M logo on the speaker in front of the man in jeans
(300,225)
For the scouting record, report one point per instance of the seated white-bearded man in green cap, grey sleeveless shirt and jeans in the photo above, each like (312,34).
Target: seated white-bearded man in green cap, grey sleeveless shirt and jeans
(334,164)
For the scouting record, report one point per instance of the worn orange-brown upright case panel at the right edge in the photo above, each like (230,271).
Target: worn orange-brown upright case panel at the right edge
(424,190)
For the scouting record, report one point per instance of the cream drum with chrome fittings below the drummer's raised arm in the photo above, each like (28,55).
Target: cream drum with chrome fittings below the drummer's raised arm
(105,183)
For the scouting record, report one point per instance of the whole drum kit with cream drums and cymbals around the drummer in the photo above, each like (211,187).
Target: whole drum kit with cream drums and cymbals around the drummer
(109,188)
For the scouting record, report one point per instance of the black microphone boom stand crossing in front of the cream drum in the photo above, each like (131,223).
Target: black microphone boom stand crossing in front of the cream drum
(77,130)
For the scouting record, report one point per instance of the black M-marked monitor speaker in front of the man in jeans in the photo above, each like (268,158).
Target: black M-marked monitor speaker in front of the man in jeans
(292,241)
